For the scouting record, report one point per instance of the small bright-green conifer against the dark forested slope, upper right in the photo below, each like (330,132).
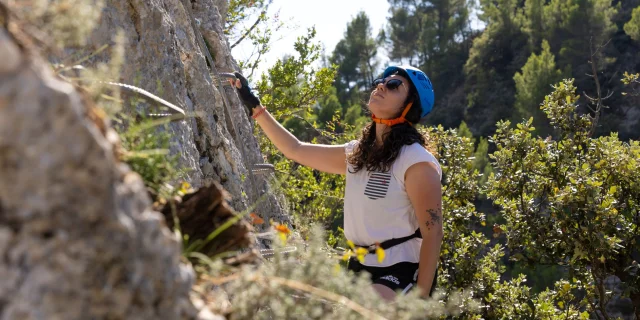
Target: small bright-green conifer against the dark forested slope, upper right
(533,84)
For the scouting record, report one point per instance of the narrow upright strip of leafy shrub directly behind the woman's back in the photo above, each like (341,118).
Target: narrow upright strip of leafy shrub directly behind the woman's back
(461,260)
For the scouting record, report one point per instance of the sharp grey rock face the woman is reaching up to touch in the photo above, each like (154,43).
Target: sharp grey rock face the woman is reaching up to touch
(163,56)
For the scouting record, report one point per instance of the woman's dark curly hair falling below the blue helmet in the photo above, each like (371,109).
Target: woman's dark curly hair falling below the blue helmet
(379,158)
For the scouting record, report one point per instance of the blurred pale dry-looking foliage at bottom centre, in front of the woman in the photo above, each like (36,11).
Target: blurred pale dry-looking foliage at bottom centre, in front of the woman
(309,283)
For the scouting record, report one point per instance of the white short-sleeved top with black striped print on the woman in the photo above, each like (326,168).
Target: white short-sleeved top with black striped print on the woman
(377,207)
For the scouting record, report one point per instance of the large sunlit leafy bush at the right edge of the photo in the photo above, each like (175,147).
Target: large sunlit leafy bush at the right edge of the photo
(570,202)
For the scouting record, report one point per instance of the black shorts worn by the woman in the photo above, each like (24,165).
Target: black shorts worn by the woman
(402,276)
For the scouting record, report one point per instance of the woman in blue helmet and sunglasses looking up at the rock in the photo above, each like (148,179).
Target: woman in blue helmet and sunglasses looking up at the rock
(393,189)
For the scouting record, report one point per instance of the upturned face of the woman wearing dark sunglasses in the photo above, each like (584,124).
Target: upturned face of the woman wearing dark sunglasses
(388,103)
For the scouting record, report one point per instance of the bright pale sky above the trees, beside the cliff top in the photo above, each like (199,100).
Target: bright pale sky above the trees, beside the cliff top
(330,18)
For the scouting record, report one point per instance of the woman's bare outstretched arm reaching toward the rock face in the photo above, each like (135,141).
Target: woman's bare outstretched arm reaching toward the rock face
(326,158)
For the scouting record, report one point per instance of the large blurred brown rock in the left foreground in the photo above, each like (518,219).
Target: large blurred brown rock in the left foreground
(78,239)
